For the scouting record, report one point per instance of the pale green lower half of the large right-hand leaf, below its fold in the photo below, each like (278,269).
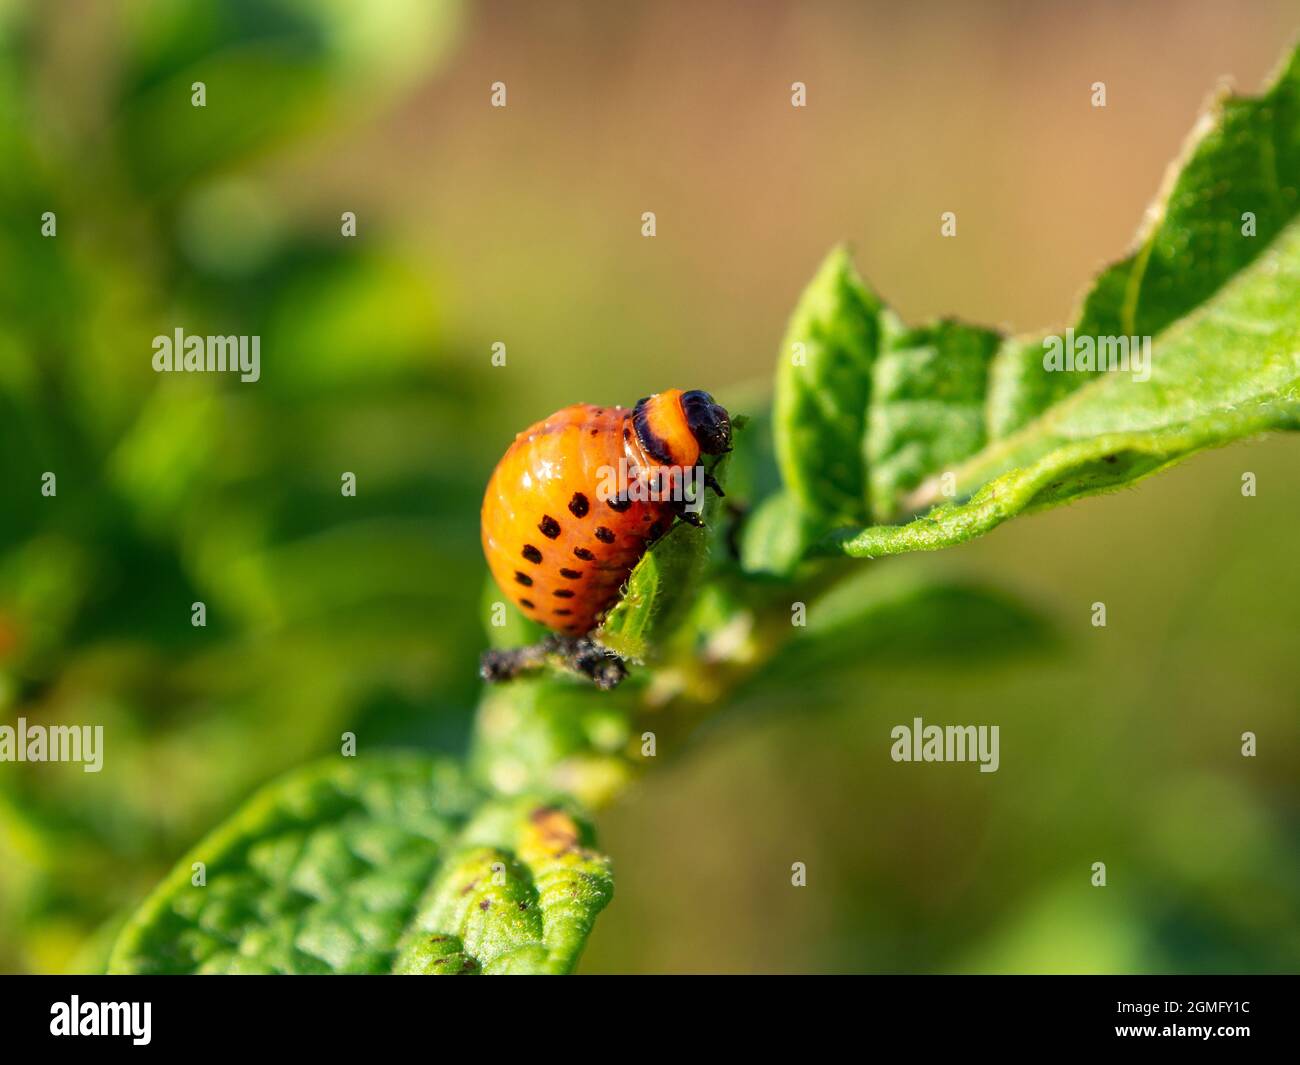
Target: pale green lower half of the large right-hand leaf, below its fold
(1232,370)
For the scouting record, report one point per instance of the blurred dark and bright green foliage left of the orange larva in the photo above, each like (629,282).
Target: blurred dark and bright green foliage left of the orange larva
(181,491)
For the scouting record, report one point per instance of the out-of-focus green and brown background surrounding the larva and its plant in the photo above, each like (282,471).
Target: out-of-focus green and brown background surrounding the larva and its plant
(523,226)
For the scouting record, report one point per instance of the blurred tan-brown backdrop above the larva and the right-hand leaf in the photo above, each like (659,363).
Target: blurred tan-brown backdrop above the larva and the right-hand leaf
(532,213)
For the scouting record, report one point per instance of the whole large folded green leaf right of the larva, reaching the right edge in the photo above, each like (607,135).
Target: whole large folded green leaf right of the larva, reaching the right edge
(1221,310)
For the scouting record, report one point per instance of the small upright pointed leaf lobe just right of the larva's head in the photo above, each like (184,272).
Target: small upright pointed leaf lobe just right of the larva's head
(824,384)
